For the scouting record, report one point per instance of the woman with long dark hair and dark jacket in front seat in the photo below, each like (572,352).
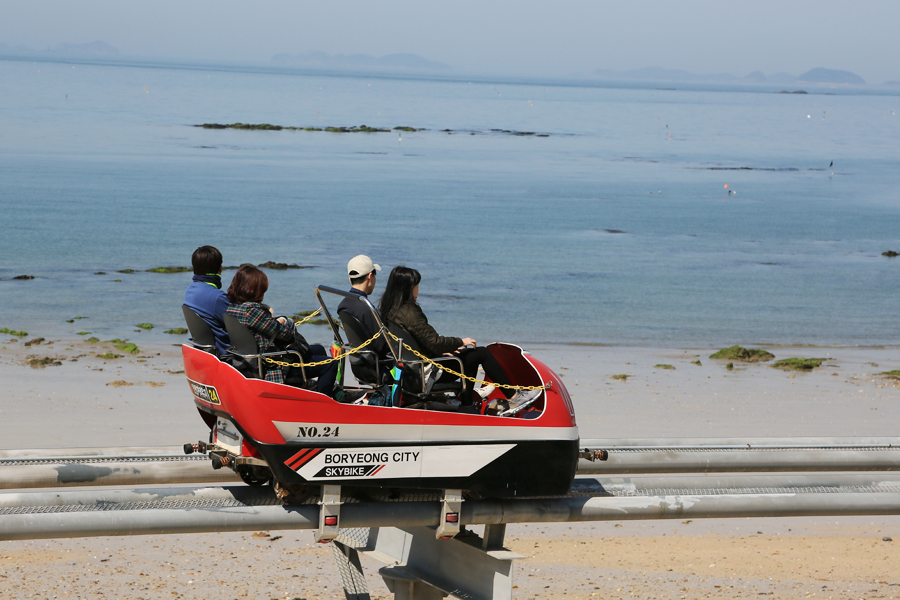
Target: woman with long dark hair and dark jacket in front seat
(399,305)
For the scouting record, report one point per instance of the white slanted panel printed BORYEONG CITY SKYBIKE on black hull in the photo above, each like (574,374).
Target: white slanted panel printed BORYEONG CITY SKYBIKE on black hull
(401,462)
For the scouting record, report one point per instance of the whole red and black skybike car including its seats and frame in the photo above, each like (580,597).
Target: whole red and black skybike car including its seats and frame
(420,440)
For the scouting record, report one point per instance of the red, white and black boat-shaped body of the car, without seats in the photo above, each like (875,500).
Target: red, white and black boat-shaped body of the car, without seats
(304,438)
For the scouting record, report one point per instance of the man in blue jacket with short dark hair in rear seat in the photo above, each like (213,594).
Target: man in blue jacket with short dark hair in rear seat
(205,296)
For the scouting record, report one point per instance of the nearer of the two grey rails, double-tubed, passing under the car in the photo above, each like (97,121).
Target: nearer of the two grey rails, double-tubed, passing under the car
(242,508)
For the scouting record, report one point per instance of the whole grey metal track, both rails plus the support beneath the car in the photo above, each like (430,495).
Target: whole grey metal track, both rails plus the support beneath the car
(399,525)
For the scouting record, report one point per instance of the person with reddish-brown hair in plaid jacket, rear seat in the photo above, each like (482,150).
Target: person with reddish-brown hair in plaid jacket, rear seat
(248,288)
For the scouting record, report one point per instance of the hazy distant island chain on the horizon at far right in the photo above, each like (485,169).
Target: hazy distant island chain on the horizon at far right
(818,75)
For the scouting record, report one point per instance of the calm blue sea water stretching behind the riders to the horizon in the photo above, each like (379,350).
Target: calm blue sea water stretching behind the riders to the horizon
(616,228)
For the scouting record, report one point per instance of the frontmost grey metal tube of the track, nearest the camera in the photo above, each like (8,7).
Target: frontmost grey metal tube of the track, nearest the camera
(211,514)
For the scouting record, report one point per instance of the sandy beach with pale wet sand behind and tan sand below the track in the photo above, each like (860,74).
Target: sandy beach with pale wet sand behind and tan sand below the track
(142,399)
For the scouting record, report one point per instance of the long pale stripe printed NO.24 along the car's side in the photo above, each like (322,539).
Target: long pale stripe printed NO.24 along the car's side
(405,434)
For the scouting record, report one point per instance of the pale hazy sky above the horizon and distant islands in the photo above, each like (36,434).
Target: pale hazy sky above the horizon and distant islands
(492,36)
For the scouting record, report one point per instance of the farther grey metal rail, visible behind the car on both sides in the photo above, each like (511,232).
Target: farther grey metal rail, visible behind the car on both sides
(22,469)
